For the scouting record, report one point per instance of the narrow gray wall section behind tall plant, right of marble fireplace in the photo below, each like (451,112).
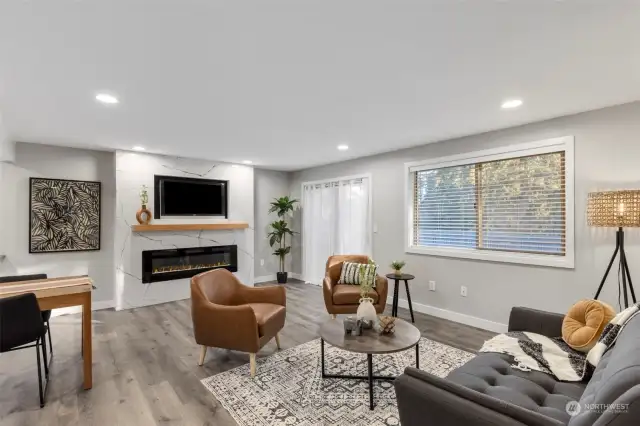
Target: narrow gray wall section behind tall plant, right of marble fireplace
(269,184)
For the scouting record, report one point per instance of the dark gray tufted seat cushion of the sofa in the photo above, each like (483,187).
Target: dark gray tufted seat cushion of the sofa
(492,375)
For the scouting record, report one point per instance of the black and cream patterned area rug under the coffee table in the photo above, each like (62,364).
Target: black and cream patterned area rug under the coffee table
(288,388)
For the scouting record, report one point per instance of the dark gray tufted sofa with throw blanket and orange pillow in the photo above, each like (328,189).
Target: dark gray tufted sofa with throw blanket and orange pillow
(487,391)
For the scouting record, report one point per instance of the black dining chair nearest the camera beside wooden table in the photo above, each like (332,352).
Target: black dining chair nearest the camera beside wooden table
(21,327)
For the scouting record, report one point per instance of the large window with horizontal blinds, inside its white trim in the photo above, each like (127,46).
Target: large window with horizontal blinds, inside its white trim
(515,204)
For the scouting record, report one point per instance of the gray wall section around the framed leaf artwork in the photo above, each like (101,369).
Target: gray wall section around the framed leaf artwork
(32,160)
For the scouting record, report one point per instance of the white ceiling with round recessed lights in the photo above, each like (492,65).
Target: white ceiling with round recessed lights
(282,83)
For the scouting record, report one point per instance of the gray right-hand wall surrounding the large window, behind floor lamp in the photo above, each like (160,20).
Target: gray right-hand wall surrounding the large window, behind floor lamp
(607,156)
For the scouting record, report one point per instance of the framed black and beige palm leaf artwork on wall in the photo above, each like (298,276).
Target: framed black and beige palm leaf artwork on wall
(64,215)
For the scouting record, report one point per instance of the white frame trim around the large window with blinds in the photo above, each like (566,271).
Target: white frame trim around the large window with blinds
(565,143)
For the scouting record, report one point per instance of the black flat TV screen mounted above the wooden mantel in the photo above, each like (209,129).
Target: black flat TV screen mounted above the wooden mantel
(190,197)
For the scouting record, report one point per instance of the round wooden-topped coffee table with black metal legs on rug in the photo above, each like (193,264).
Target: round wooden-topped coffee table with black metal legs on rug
(371,343)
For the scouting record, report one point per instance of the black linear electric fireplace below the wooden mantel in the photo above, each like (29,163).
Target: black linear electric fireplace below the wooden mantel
(173,264)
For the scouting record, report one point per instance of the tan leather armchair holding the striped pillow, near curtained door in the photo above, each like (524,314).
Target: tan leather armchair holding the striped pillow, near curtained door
(344,298)
